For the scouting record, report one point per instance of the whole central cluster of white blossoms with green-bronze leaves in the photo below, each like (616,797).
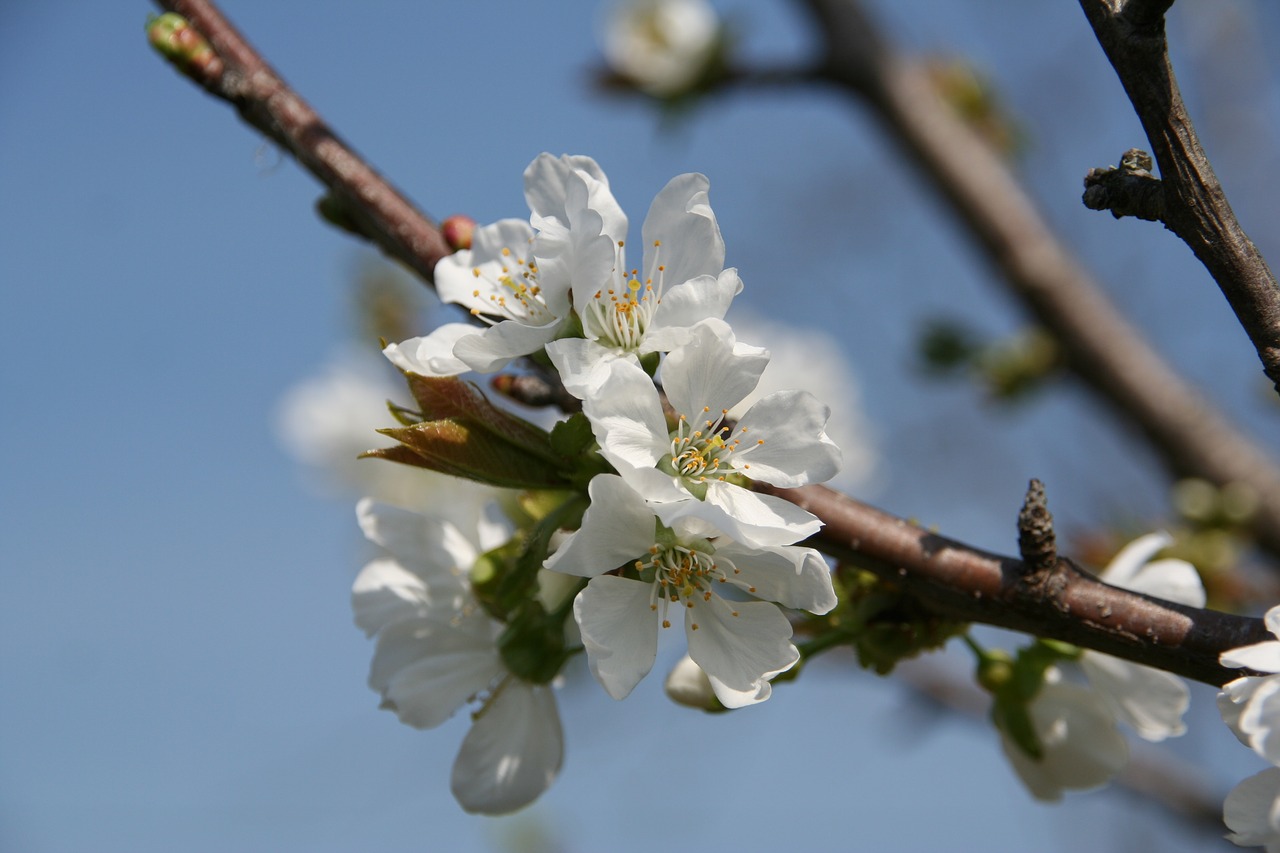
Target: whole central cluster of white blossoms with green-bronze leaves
(642,504)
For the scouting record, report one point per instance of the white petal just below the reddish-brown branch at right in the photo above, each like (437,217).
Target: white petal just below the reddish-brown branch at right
(1149,700)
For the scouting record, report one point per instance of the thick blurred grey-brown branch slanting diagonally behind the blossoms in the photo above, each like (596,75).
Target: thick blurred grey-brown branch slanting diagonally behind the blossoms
(1099,345)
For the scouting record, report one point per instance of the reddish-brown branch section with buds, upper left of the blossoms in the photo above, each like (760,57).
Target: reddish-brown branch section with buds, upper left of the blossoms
(360,200)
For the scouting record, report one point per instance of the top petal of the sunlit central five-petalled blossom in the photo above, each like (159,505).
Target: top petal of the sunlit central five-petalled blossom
(712,371)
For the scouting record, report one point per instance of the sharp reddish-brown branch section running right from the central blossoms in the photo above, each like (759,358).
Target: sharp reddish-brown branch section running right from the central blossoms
(1066,604)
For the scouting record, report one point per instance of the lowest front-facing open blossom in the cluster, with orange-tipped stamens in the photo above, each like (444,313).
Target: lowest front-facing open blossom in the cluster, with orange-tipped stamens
(739,641)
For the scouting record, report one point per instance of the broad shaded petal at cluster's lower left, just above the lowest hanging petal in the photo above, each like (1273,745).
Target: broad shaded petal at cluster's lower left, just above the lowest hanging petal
(428,669)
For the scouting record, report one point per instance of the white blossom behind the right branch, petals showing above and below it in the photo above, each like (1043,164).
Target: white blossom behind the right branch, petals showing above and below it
(1149,700)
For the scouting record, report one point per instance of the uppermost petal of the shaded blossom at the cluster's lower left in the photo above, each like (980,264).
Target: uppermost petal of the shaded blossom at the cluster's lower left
(432,549)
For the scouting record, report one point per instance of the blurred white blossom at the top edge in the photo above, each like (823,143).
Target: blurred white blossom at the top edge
(662,47)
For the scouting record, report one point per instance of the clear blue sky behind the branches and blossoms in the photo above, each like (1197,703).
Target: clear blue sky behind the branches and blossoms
(179,668)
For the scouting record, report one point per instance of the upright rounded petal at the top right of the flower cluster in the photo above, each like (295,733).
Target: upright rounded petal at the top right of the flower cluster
(680,231)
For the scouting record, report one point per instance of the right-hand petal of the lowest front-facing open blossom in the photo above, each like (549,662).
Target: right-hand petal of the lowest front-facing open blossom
(793,577)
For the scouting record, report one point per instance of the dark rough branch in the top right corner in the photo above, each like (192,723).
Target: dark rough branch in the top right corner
(1195,206)
